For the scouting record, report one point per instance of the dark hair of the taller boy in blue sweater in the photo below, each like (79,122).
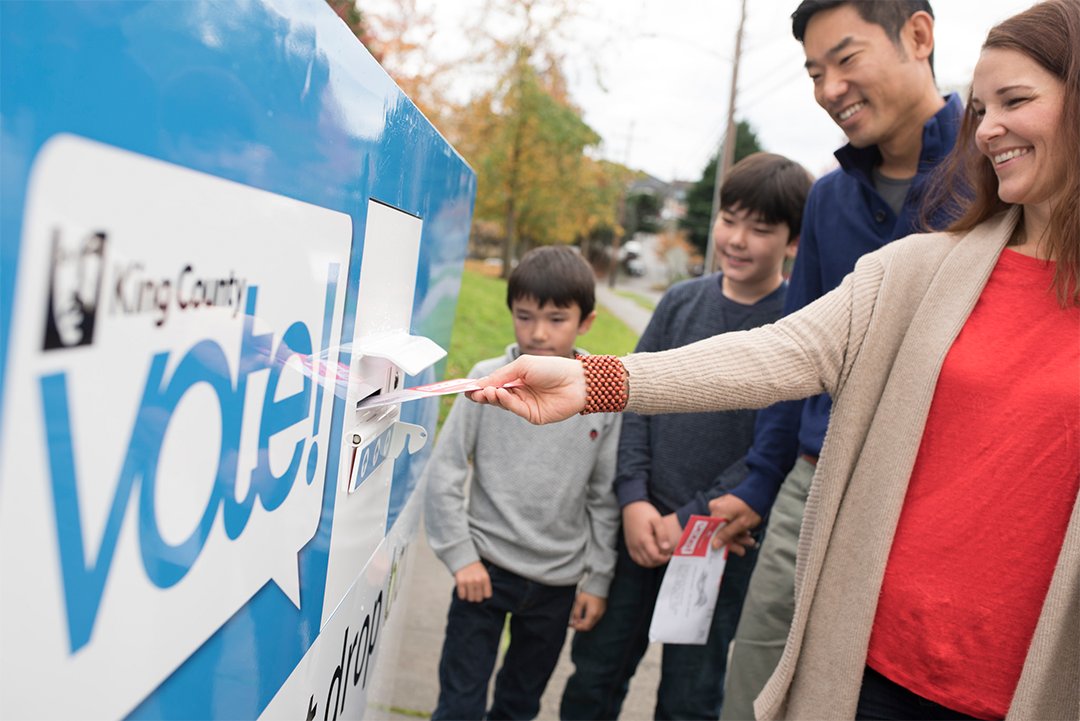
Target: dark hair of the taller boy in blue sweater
(768,185)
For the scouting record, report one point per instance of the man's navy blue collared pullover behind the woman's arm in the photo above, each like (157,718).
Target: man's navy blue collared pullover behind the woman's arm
(845,219)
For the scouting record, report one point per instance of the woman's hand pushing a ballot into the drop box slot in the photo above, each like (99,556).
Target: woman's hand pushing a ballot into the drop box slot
(553,389)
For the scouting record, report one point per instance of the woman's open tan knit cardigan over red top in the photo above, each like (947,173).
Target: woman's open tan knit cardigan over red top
(876,345)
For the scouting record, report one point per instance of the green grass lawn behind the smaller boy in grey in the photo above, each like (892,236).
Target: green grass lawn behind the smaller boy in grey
(483,330)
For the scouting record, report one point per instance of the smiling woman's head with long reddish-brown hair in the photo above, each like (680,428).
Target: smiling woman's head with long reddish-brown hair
(1022,138)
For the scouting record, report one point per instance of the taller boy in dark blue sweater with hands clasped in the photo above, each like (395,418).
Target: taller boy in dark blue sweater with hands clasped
(670,466)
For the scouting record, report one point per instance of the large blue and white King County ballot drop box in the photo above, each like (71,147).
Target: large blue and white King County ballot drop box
(185,518)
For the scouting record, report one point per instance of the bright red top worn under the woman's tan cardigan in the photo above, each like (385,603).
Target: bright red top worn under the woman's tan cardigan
(995,482)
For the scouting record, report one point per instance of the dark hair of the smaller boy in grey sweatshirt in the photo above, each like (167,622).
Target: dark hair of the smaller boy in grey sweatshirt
(556,274)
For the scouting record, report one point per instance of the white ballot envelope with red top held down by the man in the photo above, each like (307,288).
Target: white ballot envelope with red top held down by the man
(684,610)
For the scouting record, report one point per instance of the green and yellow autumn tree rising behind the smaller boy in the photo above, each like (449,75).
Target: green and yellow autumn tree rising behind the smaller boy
(525,137)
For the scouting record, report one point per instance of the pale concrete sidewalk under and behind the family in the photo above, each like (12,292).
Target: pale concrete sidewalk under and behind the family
(427,597)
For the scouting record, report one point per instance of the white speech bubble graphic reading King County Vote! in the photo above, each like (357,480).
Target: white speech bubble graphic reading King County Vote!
(167,418)
